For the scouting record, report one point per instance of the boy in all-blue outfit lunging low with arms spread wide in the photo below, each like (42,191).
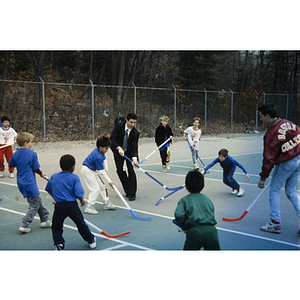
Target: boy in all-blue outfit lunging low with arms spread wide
(229,165)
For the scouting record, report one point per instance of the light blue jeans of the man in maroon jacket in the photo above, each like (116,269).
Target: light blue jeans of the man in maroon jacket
(287,172)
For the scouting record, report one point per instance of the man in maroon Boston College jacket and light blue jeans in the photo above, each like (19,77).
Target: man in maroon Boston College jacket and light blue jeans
(282,150)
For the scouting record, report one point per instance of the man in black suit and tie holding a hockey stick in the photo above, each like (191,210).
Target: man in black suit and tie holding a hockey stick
(124,140)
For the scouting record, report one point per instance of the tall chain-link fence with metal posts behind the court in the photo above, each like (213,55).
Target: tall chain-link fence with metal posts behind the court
(61,111)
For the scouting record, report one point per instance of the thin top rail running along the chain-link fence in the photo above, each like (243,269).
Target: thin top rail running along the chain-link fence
(136,87)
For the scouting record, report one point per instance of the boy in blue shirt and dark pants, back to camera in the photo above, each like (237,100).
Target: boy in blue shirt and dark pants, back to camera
(65,187)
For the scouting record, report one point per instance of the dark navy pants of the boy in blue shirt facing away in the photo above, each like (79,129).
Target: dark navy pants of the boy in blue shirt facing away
(69,209)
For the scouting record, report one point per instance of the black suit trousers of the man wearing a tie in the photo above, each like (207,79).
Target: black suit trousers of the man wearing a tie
(128,181)
